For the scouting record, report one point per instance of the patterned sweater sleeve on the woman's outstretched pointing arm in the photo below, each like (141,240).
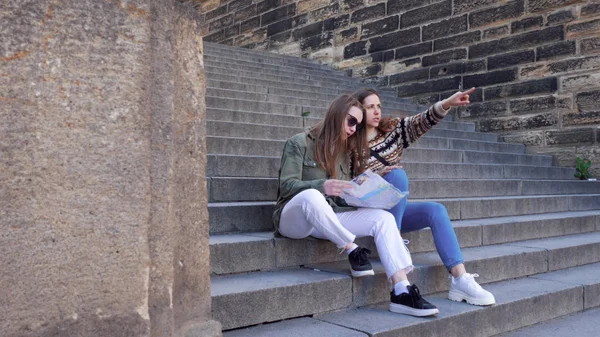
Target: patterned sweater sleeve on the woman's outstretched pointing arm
(411,128)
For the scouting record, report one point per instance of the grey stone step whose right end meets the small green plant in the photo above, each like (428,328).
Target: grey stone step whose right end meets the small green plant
(267,167)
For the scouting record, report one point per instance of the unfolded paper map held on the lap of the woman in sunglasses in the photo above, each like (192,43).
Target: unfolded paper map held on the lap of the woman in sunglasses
(372,191)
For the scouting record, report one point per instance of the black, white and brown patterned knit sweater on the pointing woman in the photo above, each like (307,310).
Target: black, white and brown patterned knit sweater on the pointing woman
(406,131)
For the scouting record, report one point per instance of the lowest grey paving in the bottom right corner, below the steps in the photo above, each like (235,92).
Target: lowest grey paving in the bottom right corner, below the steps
(580,324)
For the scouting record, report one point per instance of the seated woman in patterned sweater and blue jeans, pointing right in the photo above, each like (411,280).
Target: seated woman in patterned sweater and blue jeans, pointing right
(388,137)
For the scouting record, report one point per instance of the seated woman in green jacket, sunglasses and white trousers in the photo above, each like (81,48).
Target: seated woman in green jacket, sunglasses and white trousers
(315,167)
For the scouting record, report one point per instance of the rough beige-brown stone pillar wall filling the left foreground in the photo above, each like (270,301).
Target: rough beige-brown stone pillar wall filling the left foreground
(103,218)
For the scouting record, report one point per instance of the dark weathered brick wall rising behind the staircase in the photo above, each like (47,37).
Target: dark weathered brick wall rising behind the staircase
(536,63)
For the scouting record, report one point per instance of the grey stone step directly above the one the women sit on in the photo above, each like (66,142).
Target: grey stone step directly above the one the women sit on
(228,217)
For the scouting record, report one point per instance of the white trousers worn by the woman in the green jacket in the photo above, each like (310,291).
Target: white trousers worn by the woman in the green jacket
(308,213)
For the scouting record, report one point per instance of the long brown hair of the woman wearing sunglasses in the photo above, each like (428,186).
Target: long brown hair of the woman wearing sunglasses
(330,140)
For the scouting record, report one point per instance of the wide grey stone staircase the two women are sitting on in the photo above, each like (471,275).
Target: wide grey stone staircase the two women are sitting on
(528,228)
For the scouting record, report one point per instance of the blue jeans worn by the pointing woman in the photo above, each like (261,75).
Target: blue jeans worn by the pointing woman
(414,216)
